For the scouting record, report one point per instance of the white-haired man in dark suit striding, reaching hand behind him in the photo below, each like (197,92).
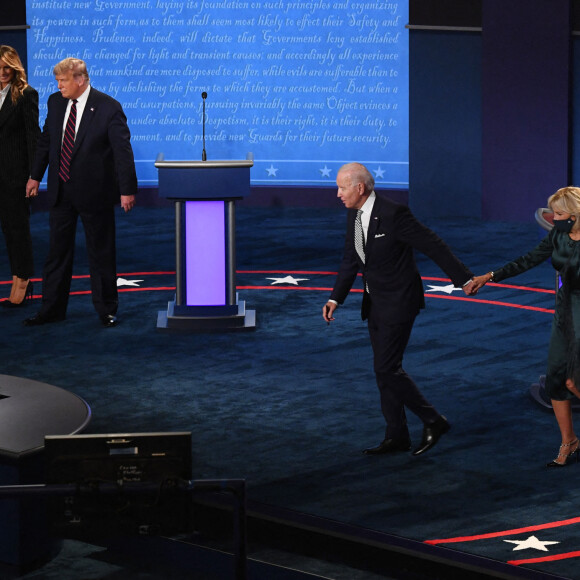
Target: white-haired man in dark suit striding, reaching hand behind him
(392,298)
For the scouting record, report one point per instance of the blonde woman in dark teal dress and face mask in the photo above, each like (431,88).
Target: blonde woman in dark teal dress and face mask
(562,245)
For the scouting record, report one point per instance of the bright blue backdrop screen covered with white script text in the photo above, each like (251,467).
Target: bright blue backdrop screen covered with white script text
(302,87)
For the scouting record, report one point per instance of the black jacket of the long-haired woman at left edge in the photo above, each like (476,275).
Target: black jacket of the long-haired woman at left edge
(19,133)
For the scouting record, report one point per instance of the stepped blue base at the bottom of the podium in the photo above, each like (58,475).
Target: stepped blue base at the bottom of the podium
(216,319)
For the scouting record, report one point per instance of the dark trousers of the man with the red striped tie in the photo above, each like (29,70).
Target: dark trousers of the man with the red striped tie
(99,227)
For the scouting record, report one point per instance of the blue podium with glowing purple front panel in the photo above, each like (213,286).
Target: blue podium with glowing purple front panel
(205,193)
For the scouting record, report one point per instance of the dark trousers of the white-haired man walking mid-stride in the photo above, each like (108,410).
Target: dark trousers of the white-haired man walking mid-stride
(397,389)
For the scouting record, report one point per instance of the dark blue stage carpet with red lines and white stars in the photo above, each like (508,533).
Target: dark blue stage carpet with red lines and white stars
(290,406)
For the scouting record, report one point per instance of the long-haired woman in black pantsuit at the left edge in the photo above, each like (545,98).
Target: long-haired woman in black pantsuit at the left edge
(19,131)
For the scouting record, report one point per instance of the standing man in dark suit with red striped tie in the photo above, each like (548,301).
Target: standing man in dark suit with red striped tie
(85,144)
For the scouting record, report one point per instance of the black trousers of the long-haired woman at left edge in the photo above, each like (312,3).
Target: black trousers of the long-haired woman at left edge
(15,223)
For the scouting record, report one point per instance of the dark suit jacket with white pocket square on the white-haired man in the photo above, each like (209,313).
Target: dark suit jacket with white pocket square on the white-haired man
(394,282)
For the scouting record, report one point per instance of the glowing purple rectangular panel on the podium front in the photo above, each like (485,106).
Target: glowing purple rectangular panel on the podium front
(205,253)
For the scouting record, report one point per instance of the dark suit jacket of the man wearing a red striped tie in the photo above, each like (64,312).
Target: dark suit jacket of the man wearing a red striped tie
(102,164)
